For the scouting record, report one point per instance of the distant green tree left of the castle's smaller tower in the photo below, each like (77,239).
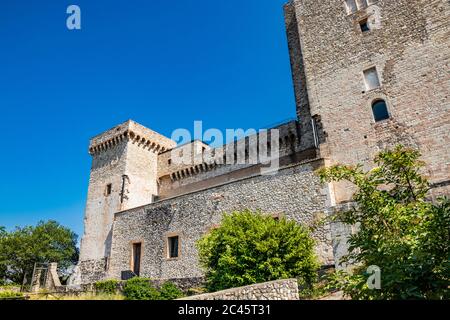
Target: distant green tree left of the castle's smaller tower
(43,243)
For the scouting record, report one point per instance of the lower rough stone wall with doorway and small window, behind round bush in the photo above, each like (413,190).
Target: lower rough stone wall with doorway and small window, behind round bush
(295,191)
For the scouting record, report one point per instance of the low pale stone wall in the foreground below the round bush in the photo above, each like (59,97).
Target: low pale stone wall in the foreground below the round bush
(274,290)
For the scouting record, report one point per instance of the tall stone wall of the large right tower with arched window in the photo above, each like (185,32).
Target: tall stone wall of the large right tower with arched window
(409,45)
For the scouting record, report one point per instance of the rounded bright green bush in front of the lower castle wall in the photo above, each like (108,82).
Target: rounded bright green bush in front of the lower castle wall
(251,248)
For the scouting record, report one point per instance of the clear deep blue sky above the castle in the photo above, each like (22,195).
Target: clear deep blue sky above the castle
(161,63)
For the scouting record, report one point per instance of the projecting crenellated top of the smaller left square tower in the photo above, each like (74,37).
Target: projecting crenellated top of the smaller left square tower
(131,131)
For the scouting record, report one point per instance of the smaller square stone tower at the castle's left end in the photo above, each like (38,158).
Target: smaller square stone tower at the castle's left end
(123,176)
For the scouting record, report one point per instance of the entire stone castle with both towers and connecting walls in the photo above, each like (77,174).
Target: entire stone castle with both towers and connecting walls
(367,75)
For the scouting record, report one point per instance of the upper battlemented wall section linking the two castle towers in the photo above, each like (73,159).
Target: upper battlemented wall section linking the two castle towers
(237,159)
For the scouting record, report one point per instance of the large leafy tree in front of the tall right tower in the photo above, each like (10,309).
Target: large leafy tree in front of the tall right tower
(399,229)
